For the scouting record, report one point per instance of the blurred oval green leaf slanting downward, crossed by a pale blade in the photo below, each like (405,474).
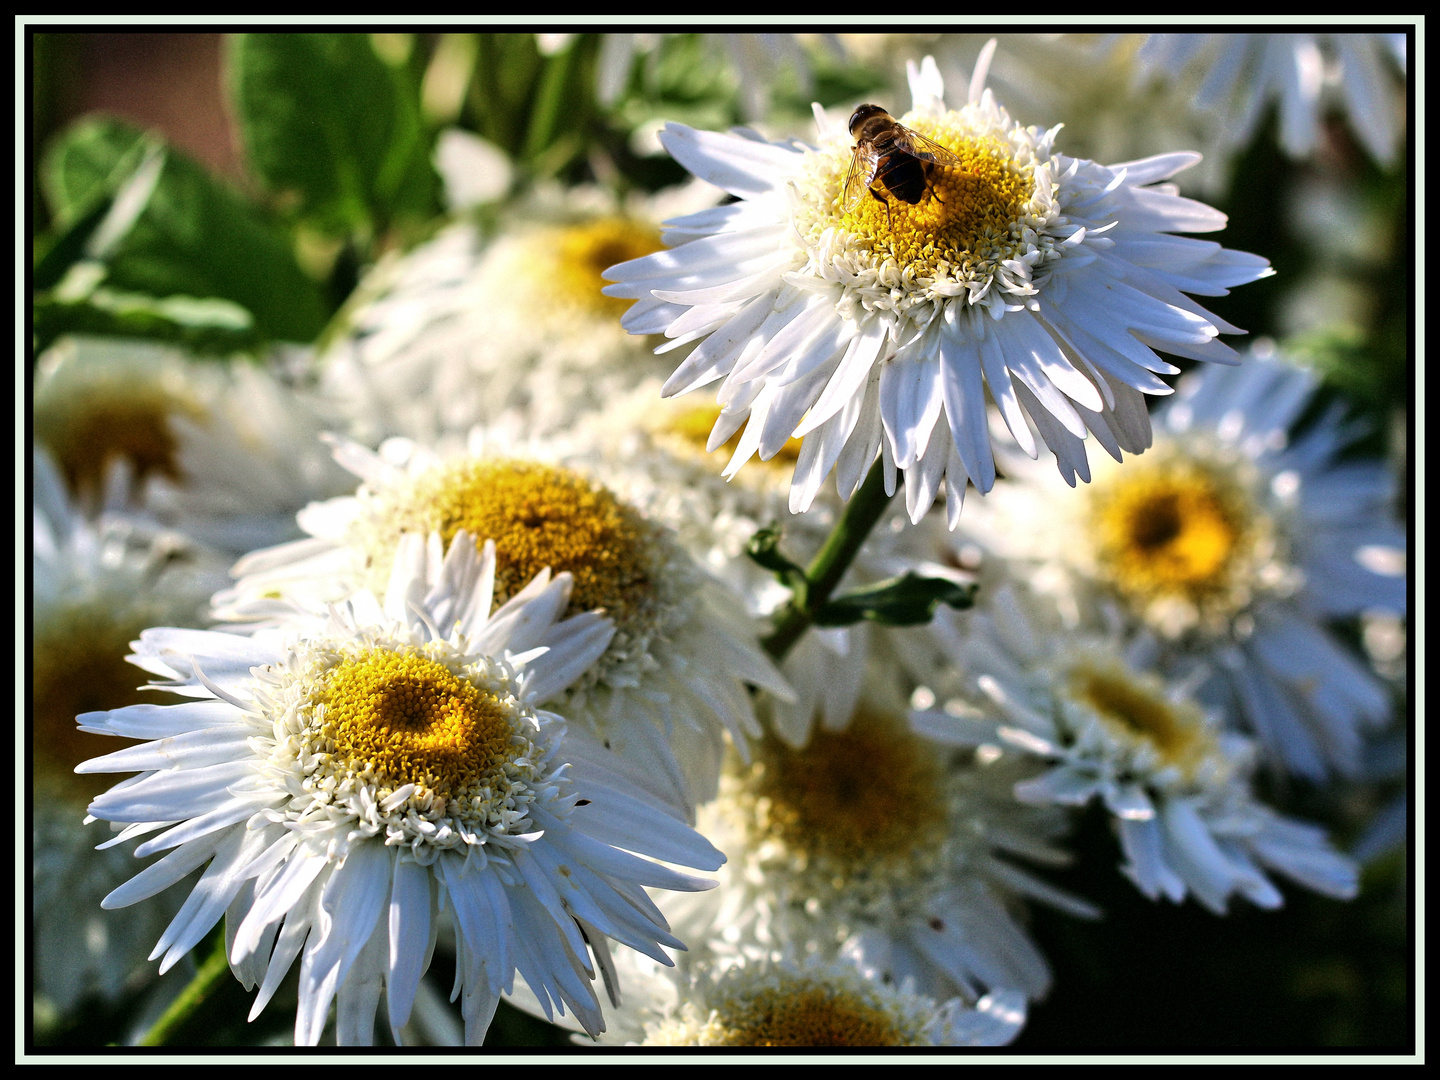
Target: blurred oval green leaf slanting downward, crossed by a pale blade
(181,234)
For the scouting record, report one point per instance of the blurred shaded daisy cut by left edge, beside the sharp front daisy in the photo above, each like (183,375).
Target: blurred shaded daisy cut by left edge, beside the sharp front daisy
(97,587)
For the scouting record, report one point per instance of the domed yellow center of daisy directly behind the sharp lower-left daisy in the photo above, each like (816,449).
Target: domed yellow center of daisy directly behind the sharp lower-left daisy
(539,516)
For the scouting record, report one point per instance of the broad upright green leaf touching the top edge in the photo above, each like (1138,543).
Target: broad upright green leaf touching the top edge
(330,125)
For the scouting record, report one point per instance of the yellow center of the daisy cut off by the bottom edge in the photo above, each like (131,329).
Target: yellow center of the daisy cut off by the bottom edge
(801,1013)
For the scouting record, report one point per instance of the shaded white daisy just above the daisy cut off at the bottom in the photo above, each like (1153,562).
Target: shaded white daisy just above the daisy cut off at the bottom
(875,845)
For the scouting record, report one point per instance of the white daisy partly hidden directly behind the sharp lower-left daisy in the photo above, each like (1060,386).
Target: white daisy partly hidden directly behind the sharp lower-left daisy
(676,678)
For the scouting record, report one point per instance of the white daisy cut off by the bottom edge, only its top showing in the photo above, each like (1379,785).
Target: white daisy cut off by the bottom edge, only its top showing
(781,1003)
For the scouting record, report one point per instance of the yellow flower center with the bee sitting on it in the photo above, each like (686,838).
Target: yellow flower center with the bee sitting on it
(970,218)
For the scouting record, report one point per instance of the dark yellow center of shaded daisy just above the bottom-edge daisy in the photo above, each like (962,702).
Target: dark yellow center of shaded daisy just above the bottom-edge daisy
(852,800)
